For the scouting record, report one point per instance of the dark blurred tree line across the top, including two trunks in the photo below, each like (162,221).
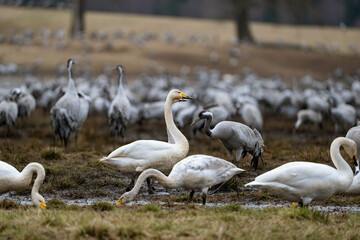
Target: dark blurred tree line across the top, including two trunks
(319,12)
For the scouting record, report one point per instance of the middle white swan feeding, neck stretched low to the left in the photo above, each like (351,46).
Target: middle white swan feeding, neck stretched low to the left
(196,172)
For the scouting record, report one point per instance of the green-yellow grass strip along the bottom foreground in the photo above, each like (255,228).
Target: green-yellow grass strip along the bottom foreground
(191,222)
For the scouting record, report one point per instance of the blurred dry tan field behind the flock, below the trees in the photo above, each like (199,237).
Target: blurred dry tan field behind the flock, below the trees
(215,37)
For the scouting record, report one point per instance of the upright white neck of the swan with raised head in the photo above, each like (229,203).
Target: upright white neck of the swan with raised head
(178,137)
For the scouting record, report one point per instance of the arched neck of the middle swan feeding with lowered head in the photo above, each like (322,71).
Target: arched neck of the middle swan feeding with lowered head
(163,180)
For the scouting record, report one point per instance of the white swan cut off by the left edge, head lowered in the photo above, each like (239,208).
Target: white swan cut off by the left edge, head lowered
(13,180)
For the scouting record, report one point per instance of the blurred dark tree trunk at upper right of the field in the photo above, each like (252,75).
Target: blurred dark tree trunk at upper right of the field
(242,20)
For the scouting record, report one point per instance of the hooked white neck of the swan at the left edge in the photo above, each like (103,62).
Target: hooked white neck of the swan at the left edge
(26,176)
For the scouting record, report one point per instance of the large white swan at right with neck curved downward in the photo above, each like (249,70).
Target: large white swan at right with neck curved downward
(304,182)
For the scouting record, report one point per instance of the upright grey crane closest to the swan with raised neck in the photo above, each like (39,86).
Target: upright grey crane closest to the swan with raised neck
(120,109)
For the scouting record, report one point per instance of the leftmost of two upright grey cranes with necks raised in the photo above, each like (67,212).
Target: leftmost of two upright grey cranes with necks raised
(64,113)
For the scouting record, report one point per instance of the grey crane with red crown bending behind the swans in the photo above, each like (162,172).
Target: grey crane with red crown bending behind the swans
(235,137)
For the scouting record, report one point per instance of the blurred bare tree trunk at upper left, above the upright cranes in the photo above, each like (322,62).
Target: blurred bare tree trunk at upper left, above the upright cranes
(77,24)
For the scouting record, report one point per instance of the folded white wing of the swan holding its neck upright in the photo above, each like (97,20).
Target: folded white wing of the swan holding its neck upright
(141,150)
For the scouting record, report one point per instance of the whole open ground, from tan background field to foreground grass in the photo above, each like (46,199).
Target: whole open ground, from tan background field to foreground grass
(74,177)
